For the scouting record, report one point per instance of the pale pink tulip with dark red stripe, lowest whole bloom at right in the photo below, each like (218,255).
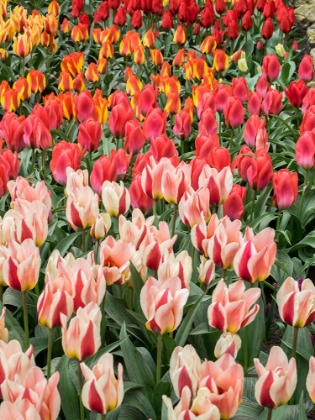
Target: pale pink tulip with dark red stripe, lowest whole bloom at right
(277,381)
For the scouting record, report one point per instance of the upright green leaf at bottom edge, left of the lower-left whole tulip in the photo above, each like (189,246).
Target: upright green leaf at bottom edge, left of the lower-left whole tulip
(70,404)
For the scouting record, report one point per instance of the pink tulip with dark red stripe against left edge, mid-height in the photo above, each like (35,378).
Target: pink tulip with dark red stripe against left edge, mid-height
(21,269)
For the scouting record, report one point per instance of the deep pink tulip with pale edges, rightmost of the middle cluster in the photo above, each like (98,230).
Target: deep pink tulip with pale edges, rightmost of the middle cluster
(255,258)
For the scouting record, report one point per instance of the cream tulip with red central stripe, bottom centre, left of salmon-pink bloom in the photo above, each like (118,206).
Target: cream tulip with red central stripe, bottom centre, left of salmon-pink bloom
(185,370)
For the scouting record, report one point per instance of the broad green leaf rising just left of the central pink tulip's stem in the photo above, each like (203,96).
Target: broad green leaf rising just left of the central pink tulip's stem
(135,365)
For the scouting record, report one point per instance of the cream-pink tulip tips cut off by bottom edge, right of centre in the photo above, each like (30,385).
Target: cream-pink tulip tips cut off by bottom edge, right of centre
(201,407)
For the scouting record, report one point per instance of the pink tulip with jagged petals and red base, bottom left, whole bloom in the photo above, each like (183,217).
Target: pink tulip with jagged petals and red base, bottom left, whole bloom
(102,392)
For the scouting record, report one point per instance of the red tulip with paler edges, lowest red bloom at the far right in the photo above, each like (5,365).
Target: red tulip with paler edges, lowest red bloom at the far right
(285,188)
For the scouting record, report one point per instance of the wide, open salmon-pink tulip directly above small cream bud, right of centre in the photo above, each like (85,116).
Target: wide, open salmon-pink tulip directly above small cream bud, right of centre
(232,307)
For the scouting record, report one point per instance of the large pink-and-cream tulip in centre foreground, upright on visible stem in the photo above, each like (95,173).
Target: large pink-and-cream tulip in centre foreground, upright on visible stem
(163,304)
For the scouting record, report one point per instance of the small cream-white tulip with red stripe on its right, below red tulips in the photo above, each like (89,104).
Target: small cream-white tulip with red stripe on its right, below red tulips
(116,198)
